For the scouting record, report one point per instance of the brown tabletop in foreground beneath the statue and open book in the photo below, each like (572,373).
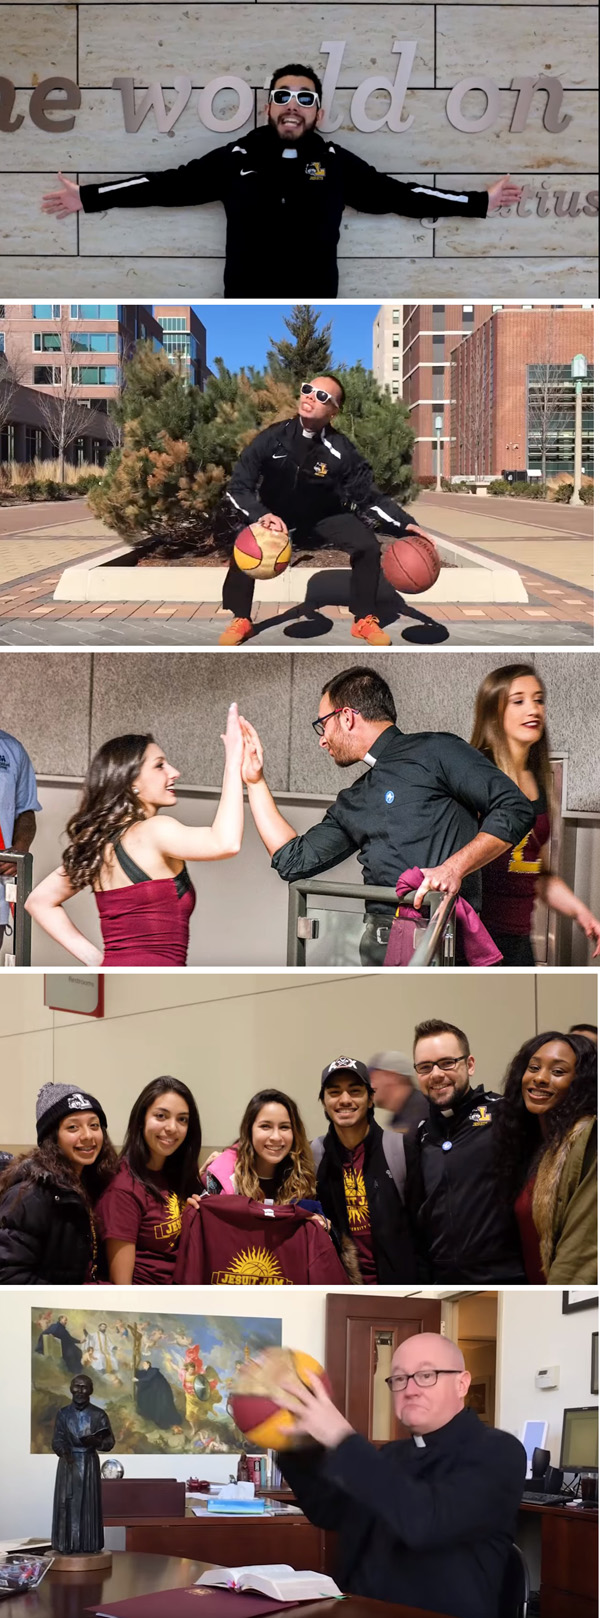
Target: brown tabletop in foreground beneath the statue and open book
(65,1596)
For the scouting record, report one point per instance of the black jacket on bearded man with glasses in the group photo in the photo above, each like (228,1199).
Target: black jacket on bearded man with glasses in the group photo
(465,1234)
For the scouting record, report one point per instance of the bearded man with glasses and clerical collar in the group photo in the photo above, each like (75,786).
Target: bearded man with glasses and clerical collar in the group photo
(465,1230)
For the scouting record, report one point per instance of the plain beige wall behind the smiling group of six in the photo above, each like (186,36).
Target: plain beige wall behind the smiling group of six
(230,1035)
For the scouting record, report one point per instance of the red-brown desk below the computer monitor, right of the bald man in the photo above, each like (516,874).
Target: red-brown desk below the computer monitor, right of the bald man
(570,1561)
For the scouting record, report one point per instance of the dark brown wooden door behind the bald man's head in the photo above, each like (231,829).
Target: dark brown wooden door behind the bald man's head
(361,1334)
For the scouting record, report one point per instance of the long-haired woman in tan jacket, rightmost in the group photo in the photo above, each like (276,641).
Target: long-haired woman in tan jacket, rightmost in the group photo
(547,1156)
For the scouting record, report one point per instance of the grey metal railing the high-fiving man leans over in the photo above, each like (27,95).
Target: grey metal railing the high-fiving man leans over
(436,947)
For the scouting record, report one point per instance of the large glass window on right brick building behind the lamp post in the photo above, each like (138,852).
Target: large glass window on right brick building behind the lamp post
(552,420)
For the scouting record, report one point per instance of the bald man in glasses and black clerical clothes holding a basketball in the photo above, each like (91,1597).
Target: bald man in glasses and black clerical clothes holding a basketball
(426,1522)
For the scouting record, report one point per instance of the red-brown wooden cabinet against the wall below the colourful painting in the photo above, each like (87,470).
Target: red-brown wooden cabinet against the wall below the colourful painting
(209,1540)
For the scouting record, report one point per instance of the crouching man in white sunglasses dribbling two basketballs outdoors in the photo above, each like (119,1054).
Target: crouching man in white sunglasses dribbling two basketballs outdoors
(305,477)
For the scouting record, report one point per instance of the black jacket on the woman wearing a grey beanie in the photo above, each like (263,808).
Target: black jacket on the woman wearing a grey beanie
(46,1234)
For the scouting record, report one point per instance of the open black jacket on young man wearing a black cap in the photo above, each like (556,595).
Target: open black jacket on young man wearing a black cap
(394,1253)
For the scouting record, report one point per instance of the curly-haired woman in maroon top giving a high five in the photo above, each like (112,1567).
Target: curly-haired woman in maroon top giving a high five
(133,858)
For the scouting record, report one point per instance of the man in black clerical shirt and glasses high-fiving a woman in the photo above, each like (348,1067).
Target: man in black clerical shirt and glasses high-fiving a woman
(426,800)
